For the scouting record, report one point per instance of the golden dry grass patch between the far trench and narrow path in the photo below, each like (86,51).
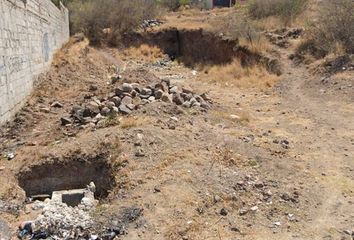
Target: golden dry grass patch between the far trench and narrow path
(234,75)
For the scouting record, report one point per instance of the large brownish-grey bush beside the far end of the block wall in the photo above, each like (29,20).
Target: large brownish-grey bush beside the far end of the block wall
(107,20)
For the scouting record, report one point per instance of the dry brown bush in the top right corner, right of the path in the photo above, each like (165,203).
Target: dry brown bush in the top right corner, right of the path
(334,28)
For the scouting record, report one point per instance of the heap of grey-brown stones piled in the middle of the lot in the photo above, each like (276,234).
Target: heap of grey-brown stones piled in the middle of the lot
(129,97)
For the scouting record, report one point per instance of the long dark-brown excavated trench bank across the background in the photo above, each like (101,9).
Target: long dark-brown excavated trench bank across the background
(199,48)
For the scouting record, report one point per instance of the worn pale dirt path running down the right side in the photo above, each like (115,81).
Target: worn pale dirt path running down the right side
(326,149)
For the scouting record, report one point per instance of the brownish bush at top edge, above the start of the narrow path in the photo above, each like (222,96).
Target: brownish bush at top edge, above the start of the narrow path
(286,9)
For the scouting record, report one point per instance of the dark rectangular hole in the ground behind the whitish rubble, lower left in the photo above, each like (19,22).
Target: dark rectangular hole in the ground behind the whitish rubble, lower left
(45,180)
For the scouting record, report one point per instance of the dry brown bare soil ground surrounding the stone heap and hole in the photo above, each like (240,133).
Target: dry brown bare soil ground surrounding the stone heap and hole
(267,161)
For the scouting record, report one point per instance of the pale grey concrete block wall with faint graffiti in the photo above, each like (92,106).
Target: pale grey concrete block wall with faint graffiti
(31,31)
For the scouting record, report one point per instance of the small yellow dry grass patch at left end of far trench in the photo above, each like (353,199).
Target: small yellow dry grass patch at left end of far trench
(144,53)
